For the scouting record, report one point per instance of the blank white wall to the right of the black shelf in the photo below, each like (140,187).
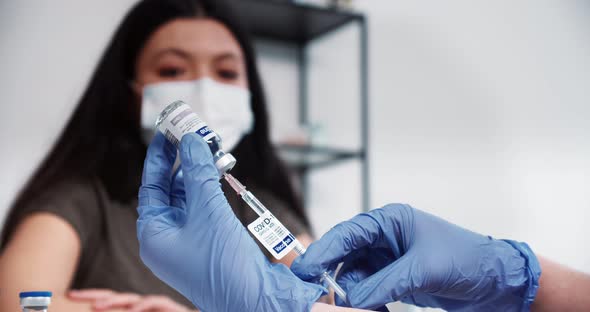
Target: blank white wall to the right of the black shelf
(481,115)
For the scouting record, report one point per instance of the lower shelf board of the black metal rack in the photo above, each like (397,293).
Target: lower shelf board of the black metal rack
(306,157)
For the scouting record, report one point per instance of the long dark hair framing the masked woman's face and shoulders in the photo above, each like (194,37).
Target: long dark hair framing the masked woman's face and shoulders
(102,139)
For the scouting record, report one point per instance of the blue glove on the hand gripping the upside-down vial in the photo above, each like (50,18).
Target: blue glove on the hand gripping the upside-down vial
(190,238)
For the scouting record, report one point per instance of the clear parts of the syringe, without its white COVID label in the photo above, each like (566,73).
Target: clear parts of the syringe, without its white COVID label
(260,209)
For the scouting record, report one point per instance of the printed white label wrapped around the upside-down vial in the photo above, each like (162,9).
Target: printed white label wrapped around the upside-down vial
(182,121)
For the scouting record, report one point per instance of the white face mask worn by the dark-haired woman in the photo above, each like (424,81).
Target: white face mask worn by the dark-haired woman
(225,108)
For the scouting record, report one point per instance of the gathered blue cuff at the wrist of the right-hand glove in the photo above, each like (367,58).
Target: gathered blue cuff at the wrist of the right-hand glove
(533,270)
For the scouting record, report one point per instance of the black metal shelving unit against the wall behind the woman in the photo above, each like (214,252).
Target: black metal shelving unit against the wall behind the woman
(299,24)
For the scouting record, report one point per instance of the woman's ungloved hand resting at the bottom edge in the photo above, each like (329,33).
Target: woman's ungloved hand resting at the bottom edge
(105,299)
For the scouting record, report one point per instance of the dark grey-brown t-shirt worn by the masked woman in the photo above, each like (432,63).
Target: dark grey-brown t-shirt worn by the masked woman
(107,231)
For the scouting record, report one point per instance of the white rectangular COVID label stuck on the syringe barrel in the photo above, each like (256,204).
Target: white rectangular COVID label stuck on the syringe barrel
(273,235)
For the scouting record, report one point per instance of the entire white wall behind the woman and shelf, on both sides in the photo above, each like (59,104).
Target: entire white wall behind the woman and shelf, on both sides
(477,111)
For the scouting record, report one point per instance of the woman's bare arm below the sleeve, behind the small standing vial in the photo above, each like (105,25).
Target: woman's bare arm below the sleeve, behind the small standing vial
(42,254)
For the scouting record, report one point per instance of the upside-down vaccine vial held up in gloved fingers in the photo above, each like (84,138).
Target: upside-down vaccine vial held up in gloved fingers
(178,119)
